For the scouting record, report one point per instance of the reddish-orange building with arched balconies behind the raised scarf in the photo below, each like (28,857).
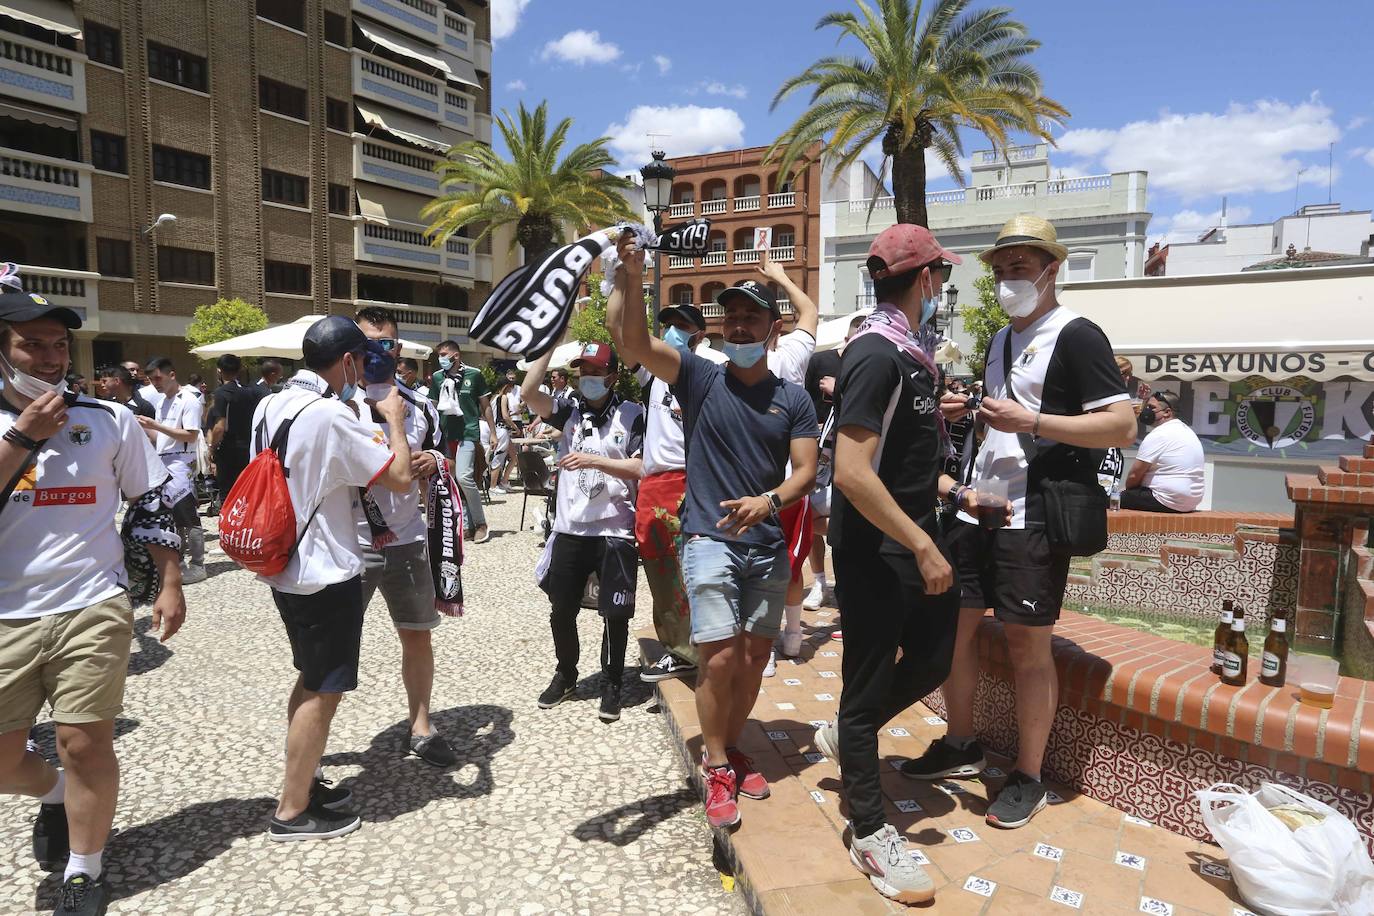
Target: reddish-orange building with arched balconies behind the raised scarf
(739,194)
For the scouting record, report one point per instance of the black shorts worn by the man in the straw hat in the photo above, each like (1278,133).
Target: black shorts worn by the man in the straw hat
(1011,571)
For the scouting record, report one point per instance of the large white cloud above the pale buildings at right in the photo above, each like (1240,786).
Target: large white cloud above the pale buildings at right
(1243,150)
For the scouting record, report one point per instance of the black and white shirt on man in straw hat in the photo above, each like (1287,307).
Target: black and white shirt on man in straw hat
(1063,366)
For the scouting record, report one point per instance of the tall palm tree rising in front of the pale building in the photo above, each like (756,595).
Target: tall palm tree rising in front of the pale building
(916,89)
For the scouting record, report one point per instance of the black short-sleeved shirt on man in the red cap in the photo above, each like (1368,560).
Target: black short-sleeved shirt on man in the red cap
(886,391)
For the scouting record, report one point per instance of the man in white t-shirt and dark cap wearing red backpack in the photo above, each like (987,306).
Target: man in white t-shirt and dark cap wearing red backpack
(319,594)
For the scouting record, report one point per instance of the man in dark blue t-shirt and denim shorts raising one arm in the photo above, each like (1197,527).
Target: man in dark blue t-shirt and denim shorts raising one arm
(743,425)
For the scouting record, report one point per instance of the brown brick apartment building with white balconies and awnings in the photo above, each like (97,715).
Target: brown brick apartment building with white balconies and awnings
(293,141)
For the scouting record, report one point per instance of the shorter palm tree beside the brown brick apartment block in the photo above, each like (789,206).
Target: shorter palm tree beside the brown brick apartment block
(532,189)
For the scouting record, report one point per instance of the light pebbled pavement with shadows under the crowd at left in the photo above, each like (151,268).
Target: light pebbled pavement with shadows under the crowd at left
(548,811)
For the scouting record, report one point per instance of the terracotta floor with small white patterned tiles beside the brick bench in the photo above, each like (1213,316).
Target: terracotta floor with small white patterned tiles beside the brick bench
(1078,855)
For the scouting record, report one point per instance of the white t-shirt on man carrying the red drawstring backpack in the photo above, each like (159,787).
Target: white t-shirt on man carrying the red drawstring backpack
(329,453)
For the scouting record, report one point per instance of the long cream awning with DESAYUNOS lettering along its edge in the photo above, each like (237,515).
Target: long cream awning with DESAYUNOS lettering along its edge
(1276,325)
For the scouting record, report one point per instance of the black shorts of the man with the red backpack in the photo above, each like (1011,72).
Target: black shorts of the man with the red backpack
(326,632)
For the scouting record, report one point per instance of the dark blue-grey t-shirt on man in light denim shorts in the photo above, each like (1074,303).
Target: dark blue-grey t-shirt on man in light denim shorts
(739,443)
